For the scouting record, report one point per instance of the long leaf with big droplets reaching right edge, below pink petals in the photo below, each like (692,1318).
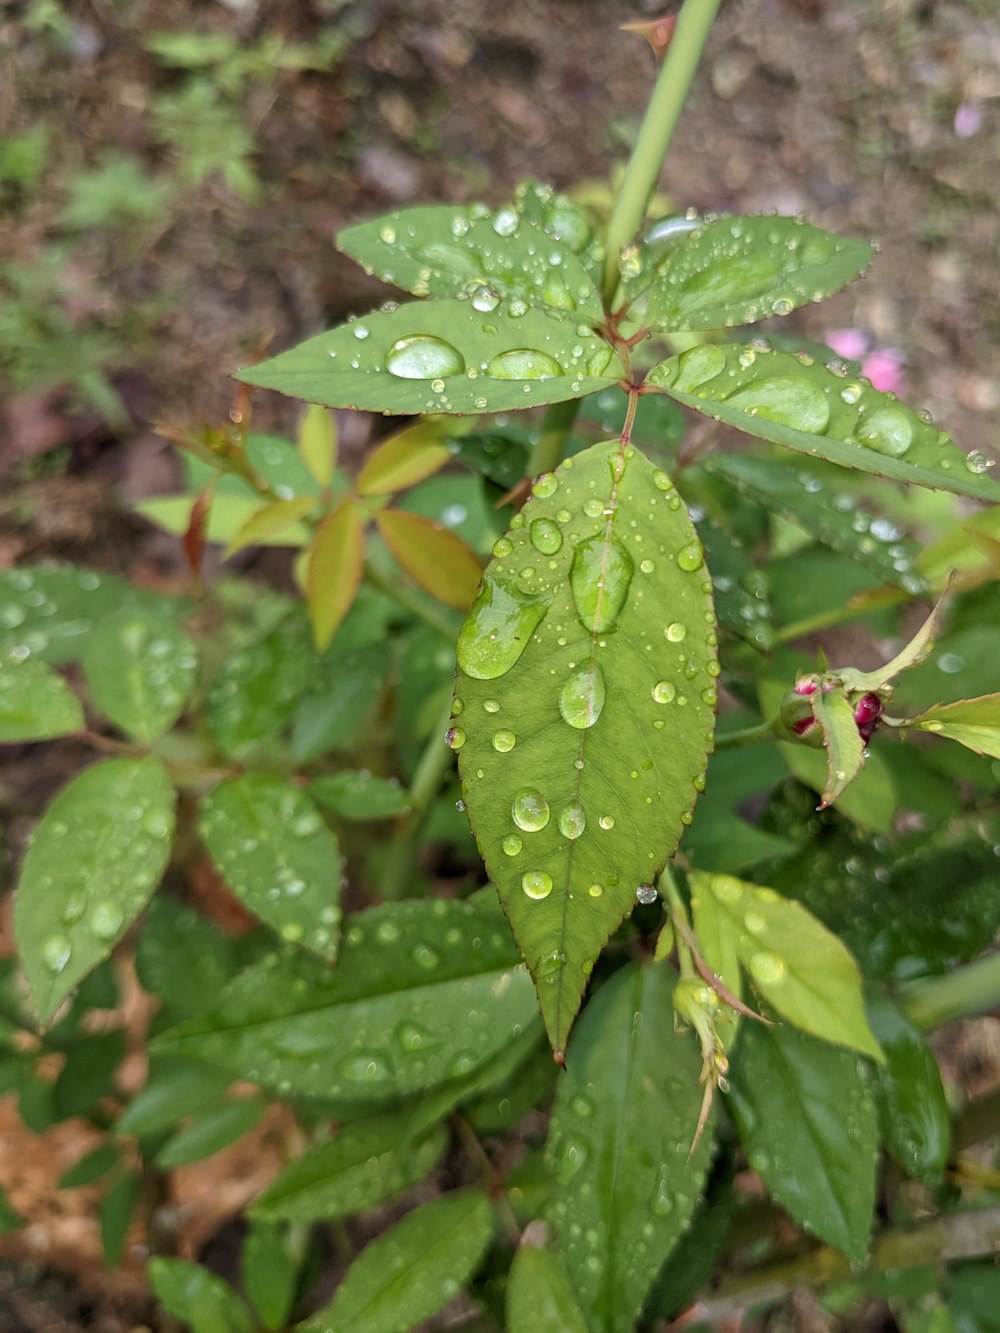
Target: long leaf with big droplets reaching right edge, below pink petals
(817,410)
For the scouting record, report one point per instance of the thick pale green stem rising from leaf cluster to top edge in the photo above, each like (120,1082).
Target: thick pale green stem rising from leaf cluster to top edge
(657,133)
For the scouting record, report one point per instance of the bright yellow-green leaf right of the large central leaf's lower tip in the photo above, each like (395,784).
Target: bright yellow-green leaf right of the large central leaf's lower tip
(801,968)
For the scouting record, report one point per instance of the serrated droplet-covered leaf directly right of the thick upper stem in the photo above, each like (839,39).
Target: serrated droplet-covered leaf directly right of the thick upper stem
(741,270)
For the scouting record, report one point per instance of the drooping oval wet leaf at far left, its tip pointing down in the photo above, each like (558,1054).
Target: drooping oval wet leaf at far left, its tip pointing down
(97,856)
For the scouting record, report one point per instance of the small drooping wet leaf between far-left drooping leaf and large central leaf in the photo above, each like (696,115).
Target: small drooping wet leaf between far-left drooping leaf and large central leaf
(275,852)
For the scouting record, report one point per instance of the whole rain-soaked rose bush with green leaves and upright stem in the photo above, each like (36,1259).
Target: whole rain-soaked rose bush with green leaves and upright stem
(731,886)
